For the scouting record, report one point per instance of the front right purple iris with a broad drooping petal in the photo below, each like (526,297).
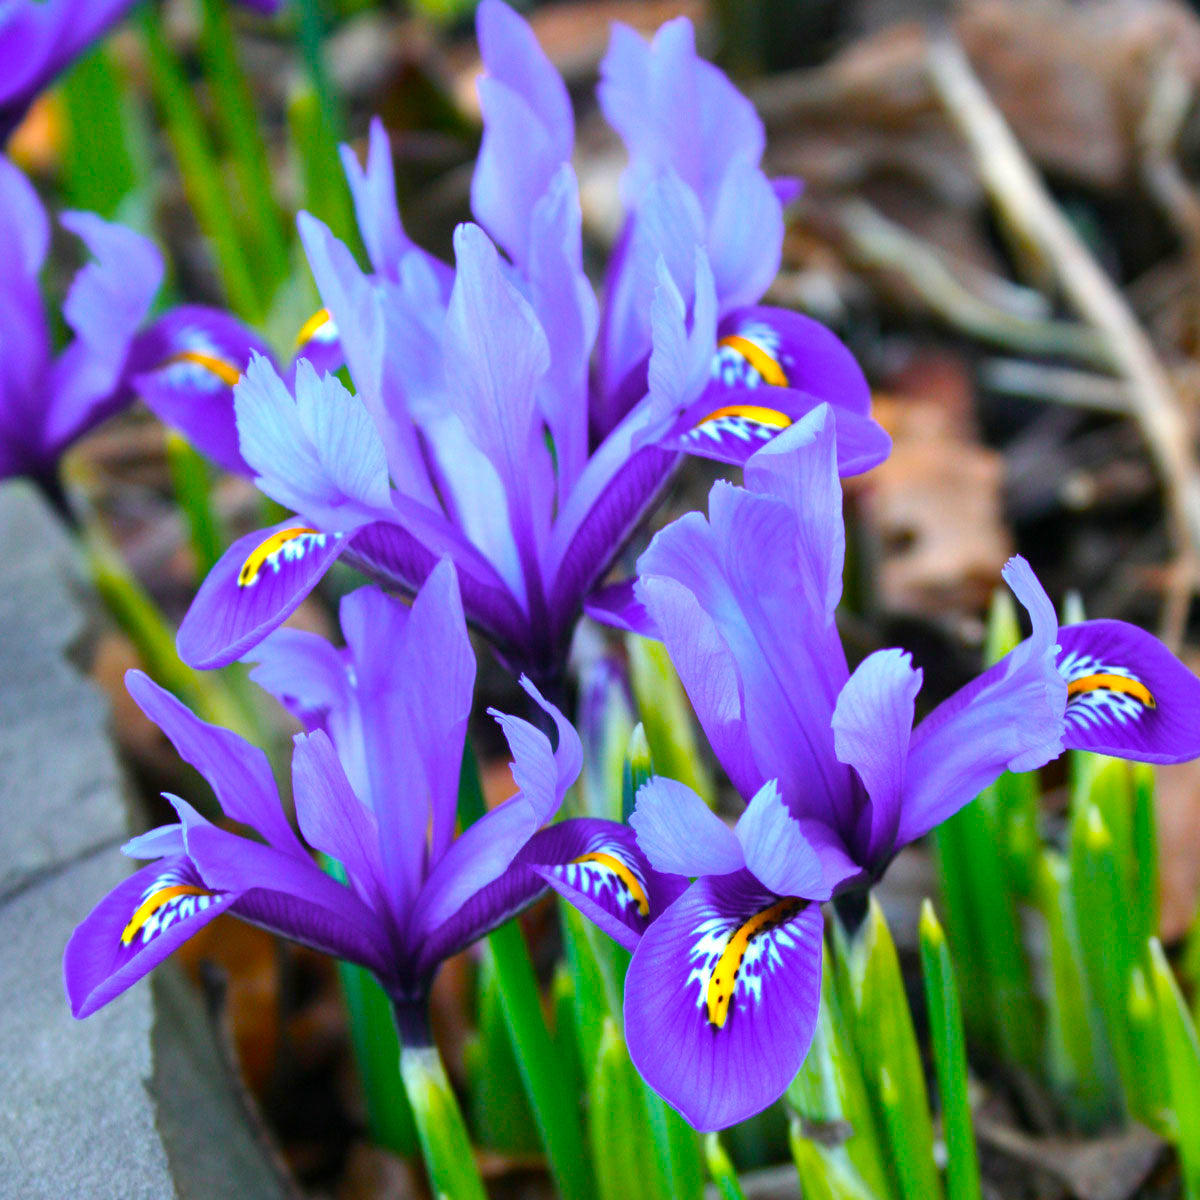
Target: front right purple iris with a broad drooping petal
(722,994)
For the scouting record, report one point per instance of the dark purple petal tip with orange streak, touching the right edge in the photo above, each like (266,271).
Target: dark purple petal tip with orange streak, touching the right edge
(1127,695)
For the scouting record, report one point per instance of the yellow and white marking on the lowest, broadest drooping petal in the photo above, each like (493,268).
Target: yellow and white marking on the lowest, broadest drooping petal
(730,961)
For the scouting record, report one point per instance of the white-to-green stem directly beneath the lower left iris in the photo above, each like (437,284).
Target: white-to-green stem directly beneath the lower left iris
(440,1126)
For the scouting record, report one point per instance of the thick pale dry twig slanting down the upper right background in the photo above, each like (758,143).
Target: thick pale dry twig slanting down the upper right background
(1031,215)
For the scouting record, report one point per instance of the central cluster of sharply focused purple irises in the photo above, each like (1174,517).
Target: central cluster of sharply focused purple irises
(505,437)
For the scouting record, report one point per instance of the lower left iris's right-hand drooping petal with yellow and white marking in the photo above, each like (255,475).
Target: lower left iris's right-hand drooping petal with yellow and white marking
(598,867)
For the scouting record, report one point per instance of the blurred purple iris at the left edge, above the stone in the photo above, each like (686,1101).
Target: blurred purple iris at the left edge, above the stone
(183,364)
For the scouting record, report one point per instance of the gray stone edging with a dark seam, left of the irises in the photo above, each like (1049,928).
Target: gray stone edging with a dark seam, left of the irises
(135,1102)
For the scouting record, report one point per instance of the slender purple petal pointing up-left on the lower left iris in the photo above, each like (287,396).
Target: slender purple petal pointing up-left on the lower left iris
(238,773)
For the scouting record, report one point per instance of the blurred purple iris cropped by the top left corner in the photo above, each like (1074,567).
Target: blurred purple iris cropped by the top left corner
(39,39)
